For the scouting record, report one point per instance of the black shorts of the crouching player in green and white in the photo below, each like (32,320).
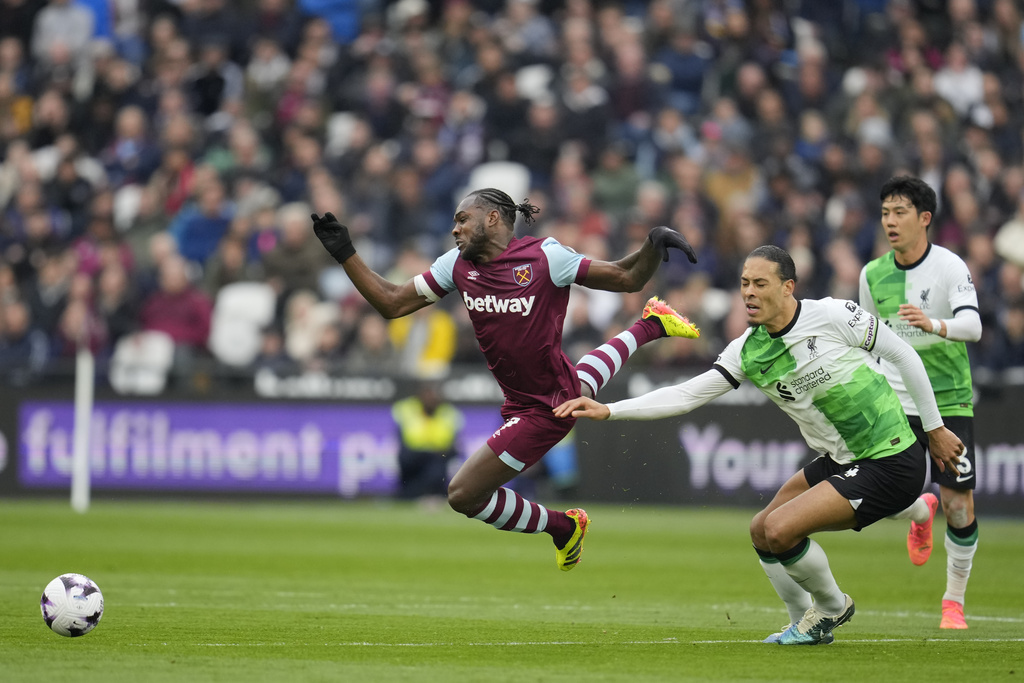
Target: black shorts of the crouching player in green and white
(877,488)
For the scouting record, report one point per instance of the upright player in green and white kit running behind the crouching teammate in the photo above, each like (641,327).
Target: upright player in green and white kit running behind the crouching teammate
(925,294)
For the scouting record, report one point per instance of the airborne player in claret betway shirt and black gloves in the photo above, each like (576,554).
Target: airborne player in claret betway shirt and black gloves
(517,291)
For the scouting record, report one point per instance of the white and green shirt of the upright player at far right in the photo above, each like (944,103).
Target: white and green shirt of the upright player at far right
(941,285)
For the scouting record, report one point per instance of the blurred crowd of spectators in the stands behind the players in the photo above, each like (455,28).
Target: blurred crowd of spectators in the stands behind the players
(157,153)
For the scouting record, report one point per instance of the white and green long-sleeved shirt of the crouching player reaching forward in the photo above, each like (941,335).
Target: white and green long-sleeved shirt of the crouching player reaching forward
(821,372)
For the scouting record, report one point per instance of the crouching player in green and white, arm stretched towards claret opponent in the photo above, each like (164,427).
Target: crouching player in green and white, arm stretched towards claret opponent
(814,360)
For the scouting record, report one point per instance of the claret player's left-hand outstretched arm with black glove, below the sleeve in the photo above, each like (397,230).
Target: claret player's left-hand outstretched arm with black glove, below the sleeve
(389,300)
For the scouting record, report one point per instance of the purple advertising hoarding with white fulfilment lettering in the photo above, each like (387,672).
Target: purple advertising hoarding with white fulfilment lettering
(346,451)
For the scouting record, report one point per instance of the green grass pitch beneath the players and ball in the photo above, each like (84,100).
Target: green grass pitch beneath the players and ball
(380,591)
